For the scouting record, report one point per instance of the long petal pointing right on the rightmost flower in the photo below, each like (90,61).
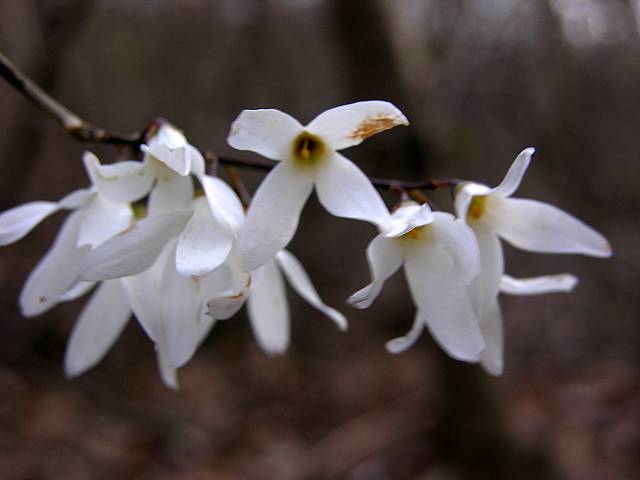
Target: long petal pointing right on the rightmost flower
(540,227)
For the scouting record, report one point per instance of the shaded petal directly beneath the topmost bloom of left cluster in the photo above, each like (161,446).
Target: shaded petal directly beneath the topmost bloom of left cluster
(171,192)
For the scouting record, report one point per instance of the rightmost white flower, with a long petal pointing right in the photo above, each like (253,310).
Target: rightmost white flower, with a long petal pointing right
(528,225)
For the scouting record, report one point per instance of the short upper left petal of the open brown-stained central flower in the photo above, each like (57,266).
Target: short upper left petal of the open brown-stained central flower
(268,132)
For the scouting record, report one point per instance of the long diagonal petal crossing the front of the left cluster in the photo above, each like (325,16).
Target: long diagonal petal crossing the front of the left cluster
(135,249)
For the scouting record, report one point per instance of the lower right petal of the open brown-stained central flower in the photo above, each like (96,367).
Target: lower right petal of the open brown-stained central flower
(345,191)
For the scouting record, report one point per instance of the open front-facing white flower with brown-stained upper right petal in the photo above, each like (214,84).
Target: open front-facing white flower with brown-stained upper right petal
(309,156)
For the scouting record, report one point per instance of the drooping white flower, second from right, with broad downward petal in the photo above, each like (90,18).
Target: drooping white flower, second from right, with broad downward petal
(440,261)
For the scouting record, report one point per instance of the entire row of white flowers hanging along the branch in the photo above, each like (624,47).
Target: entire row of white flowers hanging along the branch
(164,240)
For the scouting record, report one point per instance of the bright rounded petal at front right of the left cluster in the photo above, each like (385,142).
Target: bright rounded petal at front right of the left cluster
(203,244)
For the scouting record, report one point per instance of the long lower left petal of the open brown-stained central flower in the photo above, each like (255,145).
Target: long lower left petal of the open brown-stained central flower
(273,216)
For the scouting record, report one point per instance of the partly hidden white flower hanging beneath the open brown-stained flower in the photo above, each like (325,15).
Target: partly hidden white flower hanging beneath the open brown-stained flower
(267,305)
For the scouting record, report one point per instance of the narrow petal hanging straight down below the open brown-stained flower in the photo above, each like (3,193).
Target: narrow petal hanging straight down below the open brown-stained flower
(268,309)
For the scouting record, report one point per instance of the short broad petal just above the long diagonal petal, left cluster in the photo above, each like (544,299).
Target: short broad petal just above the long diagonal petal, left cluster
(102,219)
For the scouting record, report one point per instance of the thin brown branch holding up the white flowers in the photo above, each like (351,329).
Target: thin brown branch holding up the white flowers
(84,131)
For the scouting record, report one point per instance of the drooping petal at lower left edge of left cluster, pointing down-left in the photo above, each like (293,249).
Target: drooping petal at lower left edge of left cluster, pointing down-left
(57,272)
